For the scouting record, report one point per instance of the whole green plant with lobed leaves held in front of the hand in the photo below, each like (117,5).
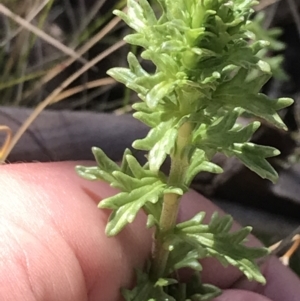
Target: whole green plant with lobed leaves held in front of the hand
(192,102)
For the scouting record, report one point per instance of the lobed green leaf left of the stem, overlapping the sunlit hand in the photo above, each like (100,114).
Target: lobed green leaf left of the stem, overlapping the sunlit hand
(141,188)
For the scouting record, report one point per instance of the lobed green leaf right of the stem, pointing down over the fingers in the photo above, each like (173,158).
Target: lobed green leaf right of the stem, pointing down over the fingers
(228,248)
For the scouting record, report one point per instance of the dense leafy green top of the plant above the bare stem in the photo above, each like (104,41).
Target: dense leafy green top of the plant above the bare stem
(201,73)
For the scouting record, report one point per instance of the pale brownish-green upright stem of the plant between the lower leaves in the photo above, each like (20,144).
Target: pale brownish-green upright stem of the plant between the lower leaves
(168,218)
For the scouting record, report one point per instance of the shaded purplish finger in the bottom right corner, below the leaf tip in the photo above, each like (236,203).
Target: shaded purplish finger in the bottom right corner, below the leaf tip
(282,283)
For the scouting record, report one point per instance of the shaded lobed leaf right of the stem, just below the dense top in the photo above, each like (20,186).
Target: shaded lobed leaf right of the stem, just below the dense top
(225,136)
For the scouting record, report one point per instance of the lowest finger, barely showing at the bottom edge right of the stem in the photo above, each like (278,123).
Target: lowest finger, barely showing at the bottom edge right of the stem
(240,295)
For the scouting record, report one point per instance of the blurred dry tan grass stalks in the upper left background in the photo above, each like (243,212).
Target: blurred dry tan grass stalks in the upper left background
(23,81)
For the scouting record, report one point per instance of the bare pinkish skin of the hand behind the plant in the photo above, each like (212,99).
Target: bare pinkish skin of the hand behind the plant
(53,246)
